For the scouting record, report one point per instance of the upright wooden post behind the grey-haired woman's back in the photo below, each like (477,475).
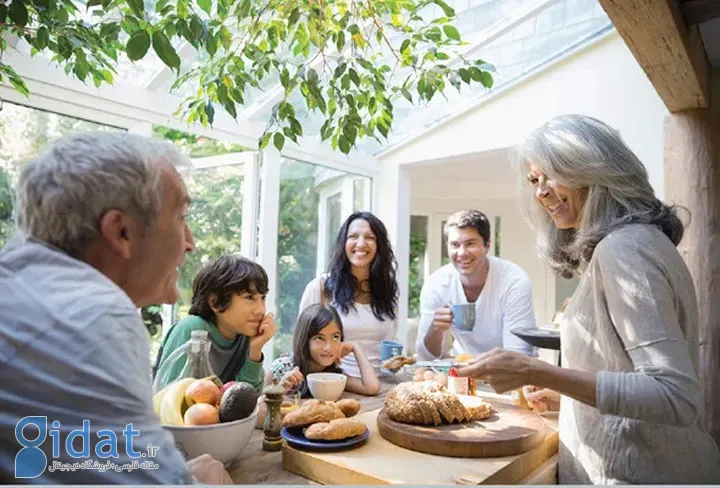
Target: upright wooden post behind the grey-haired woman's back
(692,179)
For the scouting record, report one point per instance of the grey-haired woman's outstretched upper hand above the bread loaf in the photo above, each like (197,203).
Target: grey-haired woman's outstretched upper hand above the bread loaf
(502,370)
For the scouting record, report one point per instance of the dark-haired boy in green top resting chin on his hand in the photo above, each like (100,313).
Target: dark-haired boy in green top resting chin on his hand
(229,303)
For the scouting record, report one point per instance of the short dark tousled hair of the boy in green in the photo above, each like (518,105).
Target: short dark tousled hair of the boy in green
(228,275)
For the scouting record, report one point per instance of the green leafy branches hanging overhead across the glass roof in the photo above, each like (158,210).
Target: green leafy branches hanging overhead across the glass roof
(347,59)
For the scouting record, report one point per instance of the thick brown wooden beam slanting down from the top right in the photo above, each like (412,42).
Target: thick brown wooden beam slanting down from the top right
(672,56)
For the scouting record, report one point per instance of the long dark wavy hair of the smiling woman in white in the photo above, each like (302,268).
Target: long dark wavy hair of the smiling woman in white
(341,285)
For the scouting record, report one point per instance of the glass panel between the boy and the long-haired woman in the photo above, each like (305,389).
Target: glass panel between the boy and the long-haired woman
(303,239)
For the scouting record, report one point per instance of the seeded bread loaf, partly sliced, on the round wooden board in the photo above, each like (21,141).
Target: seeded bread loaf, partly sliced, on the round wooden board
(429,403)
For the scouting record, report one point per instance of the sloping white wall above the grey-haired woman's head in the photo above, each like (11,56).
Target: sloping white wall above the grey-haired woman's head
(602,80)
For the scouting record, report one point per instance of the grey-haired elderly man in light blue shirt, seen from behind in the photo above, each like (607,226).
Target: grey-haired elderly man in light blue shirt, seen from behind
(102,232)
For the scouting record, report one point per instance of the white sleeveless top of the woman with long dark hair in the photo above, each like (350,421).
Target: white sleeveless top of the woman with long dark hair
(360,326)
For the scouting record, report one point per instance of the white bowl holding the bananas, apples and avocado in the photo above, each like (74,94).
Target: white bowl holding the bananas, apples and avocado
(223,441)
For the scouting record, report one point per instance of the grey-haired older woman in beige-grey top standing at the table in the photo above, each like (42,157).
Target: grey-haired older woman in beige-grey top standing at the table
(631,407)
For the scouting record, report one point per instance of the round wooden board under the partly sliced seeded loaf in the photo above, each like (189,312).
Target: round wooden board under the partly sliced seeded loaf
(510,430)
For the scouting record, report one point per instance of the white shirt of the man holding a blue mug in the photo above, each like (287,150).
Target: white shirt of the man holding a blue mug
(505,302)
